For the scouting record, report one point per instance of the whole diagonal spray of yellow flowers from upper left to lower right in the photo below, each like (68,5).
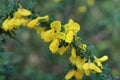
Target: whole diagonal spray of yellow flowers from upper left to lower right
(61,38)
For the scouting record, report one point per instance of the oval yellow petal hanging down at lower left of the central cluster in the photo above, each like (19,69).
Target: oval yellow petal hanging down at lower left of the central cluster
(54,46)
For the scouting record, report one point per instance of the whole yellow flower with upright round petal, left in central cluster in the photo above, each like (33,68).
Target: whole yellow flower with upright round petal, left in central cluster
(54,32)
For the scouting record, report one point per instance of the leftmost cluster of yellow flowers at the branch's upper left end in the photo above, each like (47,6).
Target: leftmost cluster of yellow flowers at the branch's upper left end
(19,19)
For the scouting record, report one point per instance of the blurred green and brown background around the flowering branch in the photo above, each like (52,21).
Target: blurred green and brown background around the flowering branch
(100,25)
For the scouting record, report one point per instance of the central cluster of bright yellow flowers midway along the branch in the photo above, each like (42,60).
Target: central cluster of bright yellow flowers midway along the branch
(71,28)
